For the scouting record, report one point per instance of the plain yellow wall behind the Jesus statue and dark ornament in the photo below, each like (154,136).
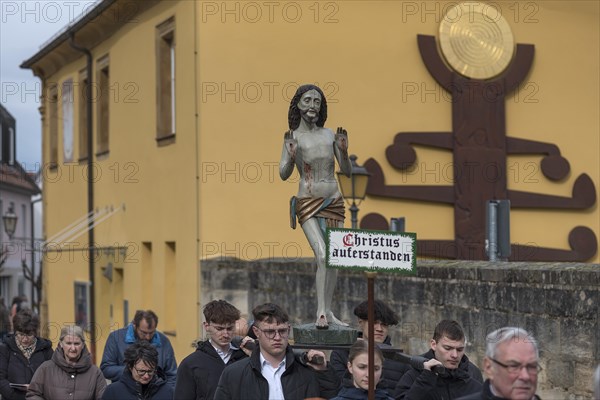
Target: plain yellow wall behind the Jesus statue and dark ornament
(369,56)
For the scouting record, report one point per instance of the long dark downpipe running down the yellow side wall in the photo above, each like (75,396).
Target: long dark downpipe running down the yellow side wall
(90,186)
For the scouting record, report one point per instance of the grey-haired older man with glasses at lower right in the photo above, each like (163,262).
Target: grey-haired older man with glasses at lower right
(511,364)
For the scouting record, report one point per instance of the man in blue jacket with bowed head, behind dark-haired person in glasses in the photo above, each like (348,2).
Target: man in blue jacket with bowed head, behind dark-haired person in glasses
(142,328)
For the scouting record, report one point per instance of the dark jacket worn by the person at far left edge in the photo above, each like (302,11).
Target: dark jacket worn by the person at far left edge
(15,368)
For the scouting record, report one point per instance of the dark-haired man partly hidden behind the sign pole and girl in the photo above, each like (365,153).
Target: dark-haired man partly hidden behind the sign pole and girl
(384,318)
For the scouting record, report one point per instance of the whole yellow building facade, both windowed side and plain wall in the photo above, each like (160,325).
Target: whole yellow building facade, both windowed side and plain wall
(190,103)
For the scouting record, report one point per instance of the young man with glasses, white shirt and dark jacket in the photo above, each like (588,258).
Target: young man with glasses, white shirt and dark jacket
(272,371)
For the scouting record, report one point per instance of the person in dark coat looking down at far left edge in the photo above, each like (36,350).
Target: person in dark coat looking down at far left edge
(21,354)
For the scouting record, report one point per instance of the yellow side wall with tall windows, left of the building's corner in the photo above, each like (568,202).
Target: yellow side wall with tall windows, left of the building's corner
(154,187)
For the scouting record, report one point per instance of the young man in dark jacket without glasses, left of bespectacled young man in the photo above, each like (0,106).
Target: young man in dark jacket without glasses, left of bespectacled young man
(199,373)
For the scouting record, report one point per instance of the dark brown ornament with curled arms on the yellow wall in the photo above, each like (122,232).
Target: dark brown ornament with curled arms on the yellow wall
(480,146)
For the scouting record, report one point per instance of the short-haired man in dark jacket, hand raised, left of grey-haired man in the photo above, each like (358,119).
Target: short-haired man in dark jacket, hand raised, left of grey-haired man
(459,378)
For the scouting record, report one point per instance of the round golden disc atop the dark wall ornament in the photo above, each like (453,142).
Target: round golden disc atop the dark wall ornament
(476,40)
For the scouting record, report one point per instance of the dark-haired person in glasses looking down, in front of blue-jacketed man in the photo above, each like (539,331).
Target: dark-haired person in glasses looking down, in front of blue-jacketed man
(140,379)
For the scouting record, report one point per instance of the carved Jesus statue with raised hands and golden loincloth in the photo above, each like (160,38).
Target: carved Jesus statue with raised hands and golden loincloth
(319,204)
